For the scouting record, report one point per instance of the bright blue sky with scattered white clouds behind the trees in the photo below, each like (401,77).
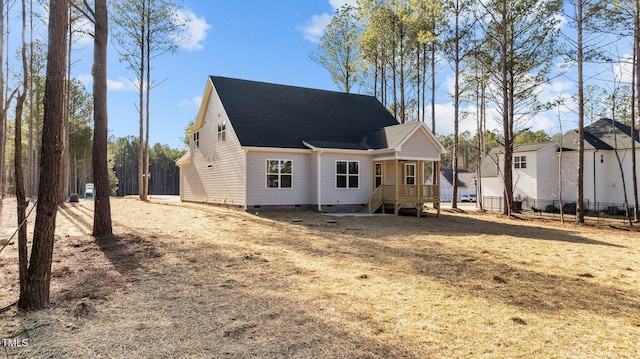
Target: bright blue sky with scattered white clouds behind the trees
(256,40)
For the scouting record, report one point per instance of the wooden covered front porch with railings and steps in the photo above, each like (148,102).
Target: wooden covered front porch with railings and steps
(405,182)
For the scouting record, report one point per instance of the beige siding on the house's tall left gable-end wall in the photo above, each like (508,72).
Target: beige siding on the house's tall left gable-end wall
(216,173)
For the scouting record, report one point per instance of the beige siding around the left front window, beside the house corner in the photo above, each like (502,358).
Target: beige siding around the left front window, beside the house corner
(302,190)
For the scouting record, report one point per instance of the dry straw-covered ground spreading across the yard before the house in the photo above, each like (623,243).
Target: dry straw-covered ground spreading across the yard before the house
(188,280)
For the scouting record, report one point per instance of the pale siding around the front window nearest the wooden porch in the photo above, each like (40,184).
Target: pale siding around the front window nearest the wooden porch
(337,196)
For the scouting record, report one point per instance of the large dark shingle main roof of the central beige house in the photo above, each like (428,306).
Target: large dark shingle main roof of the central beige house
(271,115)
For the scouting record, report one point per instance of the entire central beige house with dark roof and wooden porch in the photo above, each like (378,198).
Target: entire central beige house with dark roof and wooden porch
(258,145)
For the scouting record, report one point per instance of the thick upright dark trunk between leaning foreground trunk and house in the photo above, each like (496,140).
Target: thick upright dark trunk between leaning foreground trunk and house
(102,207)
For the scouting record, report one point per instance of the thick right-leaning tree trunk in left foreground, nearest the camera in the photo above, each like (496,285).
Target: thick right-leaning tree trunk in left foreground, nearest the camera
(39,273)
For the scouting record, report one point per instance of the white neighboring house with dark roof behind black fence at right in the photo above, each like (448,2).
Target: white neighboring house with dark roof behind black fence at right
(536,171)
